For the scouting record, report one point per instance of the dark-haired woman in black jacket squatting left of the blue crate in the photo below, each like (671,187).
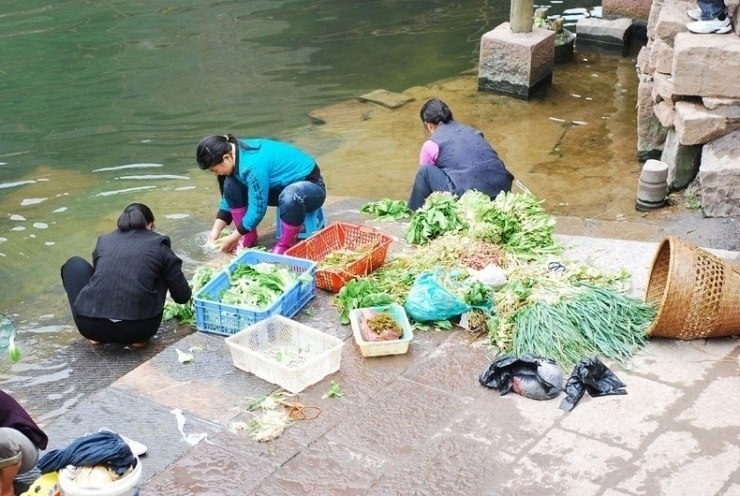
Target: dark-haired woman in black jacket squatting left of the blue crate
(121,296)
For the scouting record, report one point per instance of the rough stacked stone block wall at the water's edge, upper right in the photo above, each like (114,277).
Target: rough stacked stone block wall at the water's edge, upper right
(688,109)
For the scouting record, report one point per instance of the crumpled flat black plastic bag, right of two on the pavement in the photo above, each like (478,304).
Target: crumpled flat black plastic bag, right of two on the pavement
(590,375)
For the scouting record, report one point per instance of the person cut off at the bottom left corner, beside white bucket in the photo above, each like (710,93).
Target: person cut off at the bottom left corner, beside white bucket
(20,442)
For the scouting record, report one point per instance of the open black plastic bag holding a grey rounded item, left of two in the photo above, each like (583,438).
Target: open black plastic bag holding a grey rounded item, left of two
(532,377)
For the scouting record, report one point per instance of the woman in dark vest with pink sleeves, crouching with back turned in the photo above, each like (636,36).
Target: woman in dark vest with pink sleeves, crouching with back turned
(456,158)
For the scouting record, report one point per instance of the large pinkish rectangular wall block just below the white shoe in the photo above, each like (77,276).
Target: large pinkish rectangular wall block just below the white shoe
(706,65)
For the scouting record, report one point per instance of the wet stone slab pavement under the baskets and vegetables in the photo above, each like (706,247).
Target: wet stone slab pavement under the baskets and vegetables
(421,423)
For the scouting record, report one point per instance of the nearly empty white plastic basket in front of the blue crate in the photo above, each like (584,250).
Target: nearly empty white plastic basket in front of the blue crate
(282,351)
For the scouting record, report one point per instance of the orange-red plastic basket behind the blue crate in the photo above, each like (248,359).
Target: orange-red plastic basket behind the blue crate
(342,236)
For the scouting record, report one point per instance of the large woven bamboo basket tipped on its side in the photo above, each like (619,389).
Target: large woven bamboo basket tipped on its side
(698,294)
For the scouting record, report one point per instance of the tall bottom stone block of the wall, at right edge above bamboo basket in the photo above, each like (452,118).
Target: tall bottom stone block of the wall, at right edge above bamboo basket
(719,176)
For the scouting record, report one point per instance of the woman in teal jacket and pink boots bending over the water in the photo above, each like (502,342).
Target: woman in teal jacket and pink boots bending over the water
(254,174)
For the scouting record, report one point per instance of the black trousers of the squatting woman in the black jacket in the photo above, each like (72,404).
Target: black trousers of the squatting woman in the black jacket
(76,273)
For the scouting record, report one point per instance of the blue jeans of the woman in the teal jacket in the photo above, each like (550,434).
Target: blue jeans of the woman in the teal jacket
(293,200)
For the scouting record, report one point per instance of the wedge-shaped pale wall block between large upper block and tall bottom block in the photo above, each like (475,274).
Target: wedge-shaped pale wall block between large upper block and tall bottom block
(695,124)
